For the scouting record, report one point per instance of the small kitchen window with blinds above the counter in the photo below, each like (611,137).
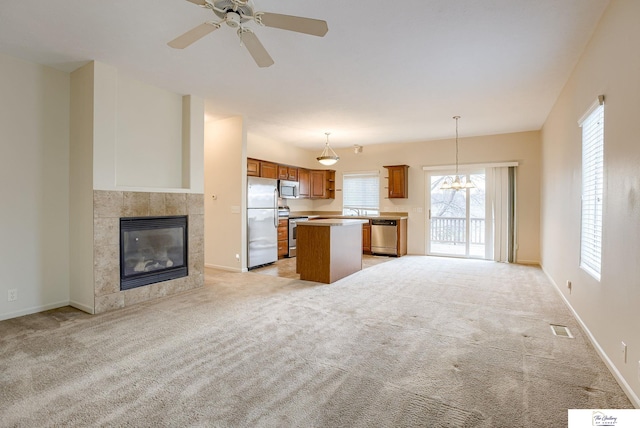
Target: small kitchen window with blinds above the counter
(361,193)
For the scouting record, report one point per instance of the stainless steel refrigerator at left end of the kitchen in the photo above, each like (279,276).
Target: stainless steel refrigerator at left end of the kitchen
(262,221)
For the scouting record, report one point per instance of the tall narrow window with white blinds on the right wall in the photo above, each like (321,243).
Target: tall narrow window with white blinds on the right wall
(592,124)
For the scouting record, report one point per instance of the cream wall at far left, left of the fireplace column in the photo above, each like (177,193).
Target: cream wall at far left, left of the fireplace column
(34,183)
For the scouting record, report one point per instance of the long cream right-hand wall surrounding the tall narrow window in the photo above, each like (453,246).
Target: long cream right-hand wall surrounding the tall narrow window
(608,308)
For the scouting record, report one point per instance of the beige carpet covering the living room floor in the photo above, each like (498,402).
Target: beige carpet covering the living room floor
(416,341)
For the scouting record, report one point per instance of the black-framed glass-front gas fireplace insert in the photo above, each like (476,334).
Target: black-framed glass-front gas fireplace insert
(152,249)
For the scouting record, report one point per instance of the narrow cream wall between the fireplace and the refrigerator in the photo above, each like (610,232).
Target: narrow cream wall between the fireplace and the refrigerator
(225,194)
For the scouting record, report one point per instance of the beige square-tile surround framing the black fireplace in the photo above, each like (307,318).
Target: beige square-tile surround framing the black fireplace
(108,208)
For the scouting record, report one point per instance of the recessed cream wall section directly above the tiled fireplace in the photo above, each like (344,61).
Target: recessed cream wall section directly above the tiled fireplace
(145,138)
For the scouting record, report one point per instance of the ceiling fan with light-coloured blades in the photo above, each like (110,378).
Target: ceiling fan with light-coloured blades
(235,13)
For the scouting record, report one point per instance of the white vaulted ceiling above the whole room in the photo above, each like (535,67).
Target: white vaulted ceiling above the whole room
(386,72)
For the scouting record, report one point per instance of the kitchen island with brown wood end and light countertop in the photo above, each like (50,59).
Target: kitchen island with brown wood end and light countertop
(329,249)
